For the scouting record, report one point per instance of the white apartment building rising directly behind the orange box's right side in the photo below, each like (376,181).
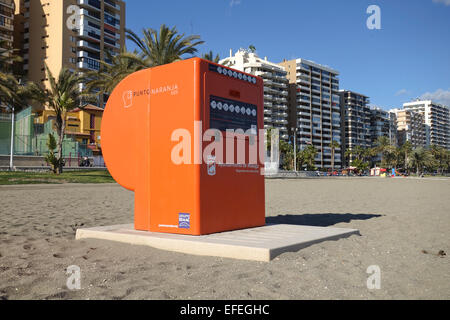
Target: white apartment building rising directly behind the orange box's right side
(275,87)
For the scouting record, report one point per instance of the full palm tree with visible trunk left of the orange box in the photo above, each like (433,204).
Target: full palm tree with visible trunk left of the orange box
(62,96)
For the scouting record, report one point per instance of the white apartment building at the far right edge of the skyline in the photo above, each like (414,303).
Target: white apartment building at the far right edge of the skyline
(436,119)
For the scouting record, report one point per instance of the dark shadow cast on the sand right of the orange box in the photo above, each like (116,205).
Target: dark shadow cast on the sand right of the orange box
(320,219)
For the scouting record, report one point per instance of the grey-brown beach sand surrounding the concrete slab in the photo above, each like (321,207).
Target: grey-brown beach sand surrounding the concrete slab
(399,220)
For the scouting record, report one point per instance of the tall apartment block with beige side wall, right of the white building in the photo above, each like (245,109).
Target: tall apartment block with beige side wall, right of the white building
(314,106)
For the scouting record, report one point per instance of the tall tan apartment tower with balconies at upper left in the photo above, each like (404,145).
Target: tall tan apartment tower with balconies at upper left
(50,33)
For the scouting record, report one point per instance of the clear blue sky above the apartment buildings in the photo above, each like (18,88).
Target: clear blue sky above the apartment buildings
(408,58)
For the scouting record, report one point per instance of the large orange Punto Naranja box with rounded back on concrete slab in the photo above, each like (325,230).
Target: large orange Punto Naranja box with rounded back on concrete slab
(152,113)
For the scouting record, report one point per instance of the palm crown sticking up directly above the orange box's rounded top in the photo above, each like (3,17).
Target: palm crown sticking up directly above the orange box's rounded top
(163,47)
